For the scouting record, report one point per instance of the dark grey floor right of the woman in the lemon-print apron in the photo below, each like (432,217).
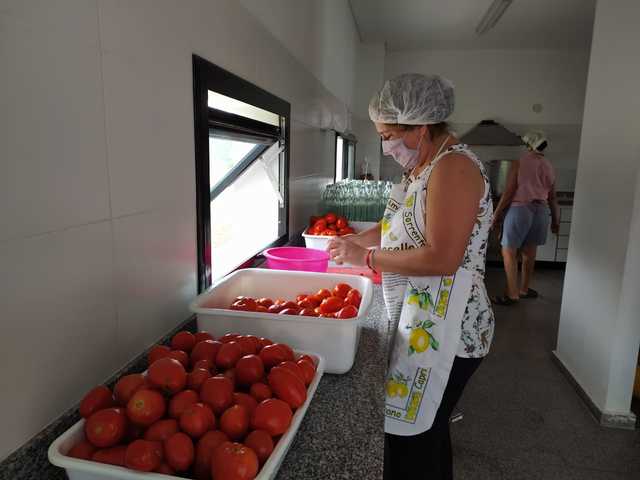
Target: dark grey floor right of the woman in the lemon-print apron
(522,419)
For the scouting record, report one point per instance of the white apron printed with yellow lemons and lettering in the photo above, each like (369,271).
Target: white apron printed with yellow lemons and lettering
(427,313)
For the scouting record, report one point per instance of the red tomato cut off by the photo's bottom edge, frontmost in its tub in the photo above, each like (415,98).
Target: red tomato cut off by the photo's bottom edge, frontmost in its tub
(234,461)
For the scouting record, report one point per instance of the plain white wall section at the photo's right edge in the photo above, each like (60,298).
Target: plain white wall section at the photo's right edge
(599,329)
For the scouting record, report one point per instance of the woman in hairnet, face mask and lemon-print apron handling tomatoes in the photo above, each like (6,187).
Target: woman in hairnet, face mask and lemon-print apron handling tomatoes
(430,247)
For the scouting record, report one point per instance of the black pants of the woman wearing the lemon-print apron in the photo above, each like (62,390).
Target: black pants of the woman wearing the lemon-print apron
(428,455)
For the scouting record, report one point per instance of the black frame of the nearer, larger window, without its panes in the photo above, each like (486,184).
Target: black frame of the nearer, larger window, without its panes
(207,76)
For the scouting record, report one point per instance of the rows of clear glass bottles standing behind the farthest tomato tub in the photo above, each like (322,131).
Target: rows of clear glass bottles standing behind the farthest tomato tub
(357,200)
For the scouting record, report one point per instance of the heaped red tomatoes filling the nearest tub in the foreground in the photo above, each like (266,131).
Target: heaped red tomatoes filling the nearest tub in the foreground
(204,409)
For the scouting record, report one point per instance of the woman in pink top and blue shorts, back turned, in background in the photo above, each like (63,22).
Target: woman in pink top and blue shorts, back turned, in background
(529,200)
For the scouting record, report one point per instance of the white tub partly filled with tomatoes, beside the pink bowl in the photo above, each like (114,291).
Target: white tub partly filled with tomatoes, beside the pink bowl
(317,312)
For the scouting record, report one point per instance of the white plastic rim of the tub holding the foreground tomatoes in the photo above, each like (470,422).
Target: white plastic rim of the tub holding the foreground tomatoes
(86,470)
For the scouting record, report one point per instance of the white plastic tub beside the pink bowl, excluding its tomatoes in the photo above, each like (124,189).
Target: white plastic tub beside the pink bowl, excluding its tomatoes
(336,340)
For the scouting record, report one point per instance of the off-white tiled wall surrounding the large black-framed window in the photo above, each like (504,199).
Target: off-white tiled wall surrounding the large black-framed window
(97,189)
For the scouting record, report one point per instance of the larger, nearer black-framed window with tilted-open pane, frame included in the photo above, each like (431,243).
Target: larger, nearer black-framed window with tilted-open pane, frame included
(241,148)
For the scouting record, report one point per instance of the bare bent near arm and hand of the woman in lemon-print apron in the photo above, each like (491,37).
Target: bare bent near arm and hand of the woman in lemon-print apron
(454,191)
